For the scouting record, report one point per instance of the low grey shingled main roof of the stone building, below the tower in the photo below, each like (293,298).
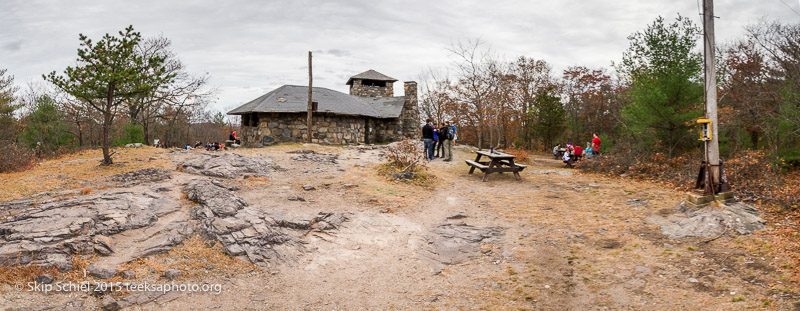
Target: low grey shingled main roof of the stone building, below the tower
(294,98)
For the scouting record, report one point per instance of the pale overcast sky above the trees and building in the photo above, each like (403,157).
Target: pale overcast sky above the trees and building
(252,47)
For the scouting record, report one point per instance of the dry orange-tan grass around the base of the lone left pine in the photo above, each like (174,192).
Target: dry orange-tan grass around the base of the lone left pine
(77,171)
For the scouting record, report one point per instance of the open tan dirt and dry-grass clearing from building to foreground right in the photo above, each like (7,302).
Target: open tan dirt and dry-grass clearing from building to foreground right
(567,242)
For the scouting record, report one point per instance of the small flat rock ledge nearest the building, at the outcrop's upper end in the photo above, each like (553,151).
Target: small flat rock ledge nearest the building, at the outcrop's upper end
(227,165)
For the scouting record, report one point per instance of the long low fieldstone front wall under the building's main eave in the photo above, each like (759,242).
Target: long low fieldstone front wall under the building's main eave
(276,128)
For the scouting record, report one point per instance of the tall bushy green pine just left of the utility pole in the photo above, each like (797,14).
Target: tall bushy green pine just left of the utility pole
(666,90)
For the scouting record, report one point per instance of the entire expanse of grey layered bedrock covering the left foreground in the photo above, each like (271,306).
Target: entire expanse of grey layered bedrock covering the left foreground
(121,225)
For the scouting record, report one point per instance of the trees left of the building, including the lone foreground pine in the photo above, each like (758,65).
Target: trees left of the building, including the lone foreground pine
(123,89)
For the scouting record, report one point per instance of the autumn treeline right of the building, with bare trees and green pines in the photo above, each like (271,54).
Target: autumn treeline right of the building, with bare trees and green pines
(648,104)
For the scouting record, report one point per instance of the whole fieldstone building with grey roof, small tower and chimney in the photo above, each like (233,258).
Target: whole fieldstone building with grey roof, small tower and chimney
(369,114)
